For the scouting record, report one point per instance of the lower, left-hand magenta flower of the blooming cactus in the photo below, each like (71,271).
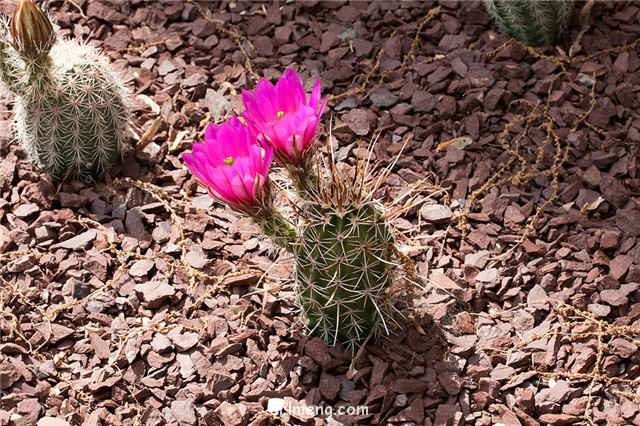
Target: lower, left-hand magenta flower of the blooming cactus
(232,166)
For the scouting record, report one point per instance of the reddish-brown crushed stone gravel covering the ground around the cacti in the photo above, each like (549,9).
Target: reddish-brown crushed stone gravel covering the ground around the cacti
(139,301)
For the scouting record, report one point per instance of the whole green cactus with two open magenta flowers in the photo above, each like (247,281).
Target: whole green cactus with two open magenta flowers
(341,241)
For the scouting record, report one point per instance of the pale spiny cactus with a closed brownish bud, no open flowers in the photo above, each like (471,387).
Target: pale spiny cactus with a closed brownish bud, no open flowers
(71,110)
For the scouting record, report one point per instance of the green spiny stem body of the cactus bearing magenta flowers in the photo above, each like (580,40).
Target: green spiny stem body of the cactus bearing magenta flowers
(343,273)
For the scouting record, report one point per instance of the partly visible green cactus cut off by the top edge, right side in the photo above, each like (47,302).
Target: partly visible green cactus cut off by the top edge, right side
(534,22)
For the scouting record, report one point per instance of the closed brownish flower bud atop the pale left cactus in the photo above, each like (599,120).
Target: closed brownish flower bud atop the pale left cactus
(31,30)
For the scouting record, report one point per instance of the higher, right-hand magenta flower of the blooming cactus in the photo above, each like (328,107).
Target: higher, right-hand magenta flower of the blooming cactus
(280,116)
